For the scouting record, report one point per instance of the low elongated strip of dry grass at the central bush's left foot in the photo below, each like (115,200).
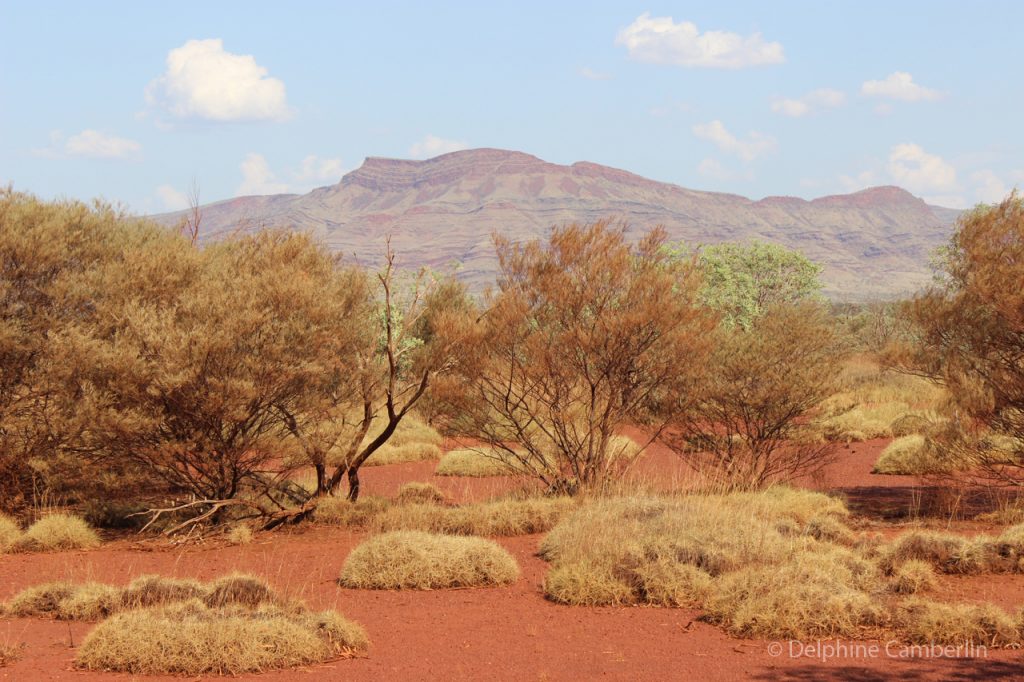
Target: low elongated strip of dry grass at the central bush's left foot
(500,518)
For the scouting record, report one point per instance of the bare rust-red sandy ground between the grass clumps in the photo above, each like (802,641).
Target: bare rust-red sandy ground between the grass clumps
(501,633)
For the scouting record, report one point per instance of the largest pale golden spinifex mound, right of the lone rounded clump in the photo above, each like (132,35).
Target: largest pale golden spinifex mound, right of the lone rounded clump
(649,550)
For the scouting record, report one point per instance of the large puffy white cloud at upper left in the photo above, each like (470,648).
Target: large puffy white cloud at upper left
(204,81)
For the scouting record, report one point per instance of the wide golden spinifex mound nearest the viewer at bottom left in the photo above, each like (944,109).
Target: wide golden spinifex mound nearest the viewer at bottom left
(193,640)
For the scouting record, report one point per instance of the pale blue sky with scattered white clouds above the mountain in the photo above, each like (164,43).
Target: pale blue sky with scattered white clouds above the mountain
(136,103)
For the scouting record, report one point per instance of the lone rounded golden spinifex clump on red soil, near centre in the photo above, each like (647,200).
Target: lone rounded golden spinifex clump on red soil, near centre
(413,560)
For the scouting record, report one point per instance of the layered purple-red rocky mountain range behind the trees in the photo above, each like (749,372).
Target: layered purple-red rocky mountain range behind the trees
(444,211)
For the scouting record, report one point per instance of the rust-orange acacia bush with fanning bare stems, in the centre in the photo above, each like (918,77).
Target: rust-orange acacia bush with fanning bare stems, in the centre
(585,334)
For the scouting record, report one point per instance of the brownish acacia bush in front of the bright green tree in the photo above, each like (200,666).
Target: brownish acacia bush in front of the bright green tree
(753,421)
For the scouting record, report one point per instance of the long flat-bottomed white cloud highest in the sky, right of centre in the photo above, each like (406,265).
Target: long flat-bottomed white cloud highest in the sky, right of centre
(661,40)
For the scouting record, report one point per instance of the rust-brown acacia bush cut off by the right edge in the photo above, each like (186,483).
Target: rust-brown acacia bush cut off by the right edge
(967,333)
